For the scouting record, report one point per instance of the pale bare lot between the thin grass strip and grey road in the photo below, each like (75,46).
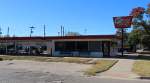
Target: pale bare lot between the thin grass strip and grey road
(60,68)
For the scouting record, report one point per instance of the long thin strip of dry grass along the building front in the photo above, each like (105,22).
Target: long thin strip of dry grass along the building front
(47,59)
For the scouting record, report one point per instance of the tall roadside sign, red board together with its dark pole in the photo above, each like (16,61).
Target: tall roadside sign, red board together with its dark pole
(122,22)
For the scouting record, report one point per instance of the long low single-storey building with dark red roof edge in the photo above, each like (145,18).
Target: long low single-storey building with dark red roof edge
(77,46)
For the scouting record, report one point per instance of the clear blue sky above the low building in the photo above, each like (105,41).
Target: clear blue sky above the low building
(74,15)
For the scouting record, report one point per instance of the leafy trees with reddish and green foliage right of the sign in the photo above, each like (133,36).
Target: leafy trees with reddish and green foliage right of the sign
(141,26)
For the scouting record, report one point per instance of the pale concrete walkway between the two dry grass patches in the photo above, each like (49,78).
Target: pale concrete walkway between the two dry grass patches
(122,69)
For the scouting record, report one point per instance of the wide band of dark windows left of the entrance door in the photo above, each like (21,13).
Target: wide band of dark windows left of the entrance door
(78,46)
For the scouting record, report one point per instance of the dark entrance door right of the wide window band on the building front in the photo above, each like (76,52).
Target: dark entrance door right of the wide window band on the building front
(106,48)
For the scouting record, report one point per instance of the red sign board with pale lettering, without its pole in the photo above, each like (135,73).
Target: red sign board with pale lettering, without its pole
(122,22)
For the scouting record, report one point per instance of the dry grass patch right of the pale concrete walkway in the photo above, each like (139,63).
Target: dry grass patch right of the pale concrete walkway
(142,68)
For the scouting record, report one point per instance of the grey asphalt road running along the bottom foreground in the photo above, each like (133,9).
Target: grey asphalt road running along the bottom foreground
(24,76)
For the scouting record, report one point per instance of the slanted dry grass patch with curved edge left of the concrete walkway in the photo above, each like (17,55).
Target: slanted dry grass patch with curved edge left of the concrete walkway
(100,66)
